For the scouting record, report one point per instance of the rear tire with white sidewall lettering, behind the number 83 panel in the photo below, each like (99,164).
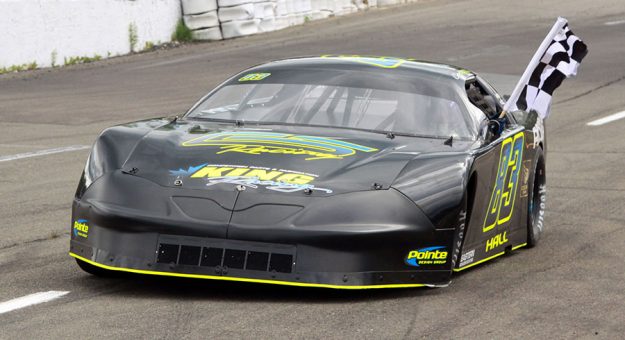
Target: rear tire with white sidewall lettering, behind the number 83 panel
(537,200)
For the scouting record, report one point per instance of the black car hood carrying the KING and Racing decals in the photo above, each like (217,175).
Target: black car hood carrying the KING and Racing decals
(272,159)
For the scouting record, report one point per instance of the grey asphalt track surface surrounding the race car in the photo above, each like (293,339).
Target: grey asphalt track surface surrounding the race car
(571,285)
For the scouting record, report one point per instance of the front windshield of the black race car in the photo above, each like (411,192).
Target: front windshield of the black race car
(358,100)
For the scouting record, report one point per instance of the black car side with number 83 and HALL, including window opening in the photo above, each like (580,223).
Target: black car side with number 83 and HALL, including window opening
(494,217)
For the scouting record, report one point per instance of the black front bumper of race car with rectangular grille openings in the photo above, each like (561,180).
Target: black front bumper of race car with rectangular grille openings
(362,250)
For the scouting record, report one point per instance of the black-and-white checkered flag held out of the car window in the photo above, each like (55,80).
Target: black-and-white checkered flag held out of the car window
(556,59)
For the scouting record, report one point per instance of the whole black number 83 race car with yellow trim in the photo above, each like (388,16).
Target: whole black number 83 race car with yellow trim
(336,171)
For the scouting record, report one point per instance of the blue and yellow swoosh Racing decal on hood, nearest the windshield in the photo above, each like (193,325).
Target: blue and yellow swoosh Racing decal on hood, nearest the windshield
(258,143)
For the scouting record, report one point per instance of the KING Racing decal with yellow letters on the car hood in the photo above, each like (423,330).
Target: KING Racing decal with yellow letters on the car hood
(281,180)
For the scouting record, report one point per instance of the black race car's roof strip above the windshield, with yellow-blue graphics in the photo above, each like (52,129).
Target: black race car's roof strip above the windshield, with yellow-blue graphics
(403,66)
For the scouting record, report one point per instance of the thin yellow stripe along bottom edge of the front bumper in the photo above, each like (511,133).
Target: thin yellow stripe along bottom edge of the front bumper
(240,279)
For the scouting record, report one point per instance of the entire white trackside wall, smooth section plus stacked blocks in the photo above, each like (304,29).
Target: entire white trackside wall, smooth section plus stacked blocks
(49,32)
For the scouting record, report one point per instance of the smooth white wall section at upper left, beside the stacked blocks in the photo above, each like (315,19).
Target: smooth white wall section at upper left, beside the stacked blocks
(32,29)
